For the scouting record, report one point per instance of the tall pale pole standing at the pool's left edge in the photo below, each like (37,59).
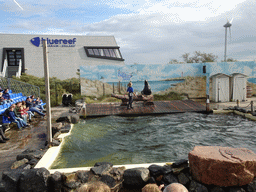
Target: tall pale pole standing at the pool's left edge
(47,93)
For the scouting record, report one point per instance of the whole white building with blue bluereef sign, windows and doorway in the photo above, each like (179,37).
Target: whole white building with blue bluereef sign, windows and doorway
(24,53)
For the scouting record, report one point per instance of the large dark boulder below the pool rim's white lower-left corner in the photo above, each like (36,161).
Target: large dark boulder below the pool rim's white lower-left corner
(35,180)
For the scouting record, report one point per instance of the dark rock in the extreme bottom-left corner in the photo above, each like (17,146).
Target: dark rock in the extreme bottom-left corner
(11,179)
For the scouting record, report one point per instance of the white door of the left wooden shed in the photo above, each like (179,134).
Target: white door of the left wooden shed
(223,90)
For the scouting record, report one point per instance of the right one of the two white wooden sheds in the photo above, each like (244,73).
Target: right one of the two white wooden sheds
(238,82)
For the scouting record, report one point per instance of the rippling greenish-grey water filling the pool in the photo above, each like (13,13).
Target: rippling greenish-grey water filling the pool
(151,139)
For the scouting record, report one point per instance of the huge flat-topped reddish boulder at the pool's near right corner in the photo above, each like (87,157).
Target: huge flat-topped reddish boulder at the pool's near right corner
(222,166)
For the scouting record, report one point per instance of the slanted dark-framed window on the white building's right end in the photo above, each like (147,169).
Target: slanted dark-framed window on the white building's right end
(112,53)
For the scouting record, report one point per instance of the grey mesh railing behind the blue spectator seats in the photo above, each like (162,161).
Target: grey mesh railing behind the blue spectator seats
(19,87)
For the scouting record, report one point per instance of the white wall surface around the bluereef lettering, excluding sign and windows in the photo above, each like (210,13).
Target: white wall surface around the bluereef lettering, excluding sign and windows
(63,61)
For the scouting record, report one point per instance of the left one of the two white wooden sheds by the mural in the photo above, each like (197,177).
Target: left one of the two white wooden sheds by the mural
(220,87)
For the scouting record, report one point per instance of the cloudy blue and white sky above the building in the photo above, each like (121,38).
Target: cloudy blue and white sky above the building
(147,31)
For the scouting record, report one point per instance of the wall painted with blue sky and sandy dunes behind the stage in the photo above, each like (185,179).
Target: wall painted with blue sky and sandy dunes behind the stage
(187,79)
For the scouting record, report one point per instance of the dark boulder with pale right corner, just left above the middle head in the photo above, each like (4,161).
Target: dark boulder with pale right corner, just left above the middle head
(136,177)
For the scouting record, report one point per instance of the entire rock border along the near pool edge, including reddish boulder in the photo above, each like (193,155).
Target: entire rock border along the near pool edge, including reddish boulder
(210,168)
